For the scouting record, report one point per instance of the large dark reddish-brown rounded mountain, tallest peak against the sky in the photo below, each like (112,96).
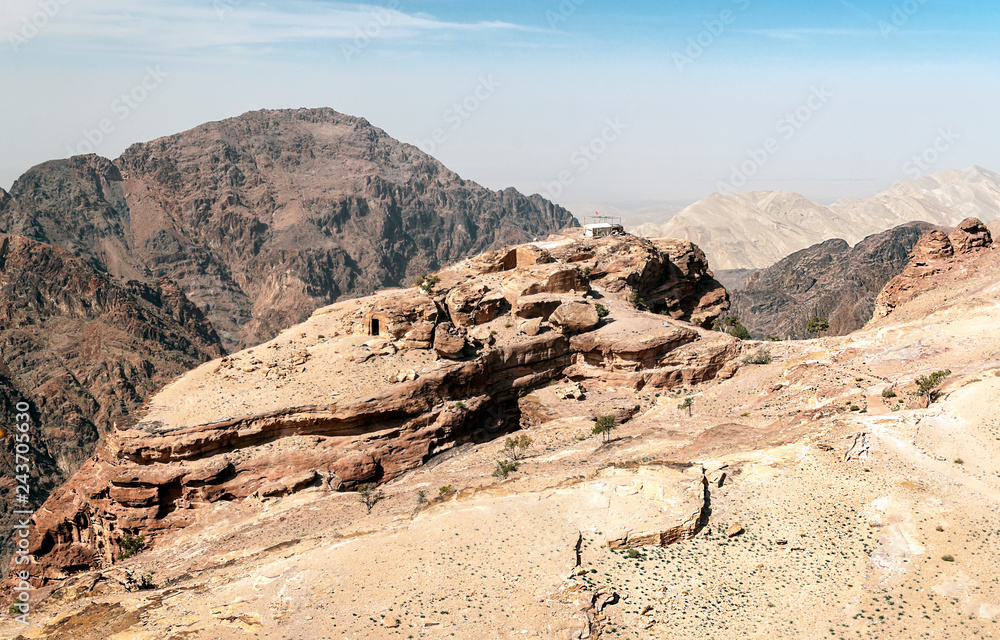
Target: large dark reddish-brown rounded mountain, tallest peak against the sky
(263,218)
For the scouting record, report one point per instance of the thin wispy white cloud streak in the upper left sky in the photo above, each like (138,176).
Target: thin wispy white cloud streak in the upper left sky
(158,25)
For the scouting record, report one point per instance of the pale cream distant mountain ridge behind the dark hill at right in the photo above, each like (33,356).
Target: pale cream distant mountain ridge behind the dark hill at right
(755,230)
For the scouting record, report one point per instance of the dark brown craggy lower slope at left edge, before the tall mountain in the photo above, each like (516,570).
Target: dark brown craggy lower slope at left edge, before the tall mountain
(85,351)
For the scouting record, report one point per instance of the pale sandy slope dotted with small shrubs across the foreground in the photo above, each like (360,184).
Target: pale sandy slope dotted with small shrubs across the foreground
(796,501)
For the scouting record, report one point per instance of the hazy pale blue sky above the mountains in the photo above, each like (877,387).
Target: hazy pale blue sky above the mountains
(624,103)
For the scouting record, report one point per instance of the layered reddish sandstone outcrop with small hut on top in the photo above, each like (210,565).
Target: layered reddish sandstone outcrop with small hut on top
(327,401)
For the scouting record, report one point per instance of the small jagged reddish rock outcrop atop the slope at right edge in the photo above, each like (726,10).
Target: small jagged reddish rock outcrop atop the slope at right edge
(934,254)
